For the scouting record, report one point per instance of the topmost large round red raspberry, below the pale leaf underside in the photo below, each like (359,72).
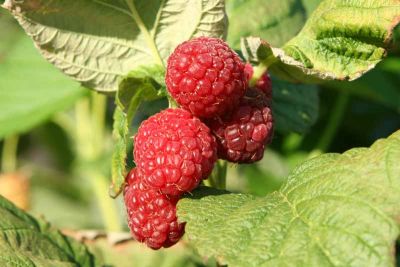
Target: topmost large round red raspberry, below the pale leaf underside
(206,77)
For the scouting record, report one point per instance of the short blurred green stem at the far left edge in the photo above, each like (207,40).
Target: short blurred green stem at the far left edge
(9,155)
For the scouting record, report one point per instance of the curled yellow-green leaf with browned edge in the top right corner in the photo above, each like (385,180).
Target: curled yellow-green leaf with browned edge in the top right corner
(341,40)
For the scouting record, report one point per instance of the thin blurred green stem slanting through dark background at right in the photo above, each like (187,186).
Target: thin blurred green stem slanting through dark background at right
(334,121)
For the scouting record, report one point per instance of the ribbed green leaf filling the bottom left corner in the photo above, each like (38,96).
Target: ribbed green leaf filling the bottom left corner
(25,241)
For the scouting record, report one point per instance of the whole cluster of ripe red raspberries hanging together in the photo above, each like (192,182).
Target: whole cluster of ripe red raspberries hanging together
(175,149)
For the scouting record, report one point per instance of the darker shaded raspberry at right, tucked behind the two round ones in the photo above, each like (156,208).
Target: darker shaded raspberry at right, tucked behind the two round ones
(242,136)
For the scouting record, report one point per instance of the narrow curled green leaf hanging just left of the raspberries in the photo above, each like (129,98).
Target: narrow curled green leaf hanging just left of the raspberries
(143,84)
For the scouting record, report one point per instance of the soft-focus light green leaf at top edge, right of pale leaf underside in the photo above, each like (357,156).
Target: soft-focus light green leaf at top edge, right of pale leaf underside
(274,21)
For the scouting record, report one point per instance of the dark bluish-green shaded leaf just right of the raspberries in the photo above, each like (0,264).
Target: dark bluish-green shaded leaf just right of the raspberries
(295,106)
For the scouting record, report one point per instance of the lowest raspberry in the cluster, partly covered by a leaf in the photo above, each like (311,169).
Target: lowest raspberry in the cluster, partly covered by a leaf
(151,215)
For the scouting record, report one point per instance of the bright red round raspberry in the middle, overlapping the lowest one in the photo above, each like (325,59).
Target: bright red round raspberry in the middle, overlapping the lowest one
(175,151)
